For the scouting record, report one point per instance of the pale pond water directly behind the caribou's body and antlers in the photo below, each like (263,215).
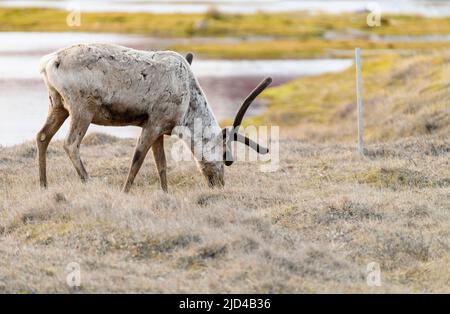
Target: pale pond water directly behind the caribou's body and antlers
(23,96)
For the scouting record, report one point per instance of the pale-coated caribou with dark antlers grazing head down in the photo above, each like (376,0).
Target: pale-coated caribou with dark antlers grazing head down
(112,85)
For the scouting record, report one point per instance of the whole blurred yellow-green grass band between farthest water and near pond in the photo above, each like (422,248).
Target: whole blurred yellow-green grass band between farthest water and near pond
(256,36)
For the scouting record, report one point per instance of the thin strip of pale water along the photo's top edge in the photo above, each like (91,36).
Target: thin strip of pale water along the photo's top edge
(429,8)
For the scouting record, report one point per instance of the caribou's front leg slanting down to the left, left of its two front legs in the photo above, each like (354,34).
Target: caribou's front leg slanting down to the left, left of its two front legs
(146,140)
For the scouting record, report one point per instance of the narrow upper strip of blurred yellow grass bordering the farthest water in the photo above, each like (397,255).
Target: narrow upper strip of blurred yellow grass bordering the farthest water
(215,23)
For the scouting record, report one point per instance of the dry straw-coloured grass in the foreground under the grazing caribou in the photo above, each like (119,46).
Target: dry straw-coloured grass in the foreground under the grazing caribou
(312,226)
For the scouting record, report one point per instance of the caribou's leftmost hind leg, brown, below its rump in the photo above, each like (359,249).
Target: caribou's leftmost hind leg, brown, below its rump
(56,117)
